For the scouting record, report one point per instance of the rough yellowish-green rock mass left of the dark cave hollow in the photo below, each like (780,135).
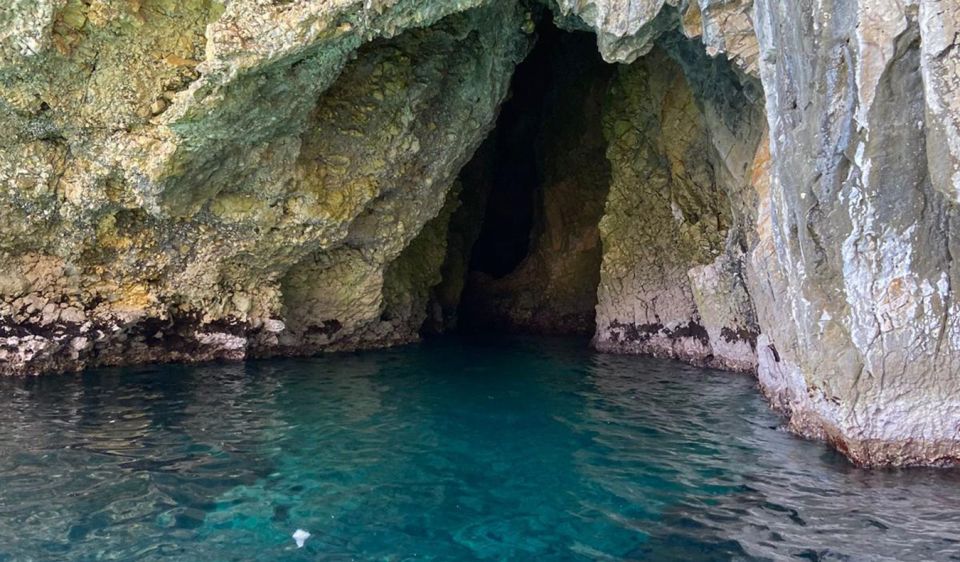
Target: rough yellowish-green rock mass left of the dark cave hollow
(274,185)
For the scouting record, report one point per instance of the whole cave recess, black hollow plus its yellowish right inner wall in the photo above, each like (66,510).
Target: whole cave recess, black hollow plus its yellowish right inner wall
(612,200)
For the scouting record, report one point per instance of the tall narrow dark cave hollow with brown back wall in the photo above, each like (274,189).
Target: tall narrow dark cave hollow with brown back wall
(534,194)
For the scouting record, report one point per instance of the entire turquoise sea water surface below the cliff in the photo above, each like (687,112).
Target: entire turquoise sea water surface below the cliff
(450,450)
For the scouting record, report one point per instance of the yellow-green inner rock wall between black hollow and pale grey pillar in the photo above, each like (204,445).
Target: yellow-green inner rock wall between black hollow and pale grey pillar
(671,284)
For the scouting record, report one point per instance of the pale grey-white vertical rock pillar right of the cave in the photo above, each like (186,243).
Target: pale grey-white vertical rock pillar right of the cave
(854,287)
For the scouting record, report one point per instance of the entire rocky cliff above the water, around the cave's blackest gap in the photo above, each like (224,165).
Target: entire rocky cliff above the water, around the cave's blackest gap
(778,184)
